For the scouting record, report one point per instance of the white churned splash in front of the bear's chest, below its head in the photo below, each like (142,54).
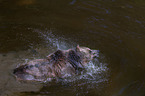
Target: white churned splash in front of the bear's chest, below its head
(93,73)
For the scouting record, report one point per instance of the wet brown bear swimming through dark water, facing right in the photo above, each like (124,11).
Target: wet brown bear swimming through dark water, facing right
(59,64)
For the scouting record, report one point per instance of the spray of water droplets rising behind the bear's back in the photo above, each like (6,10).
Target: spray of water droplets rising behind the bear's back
(54,41)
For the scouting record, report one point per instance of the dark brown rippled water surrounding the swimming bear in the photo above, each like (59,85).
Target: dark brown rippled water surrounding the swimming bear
(32,29)
